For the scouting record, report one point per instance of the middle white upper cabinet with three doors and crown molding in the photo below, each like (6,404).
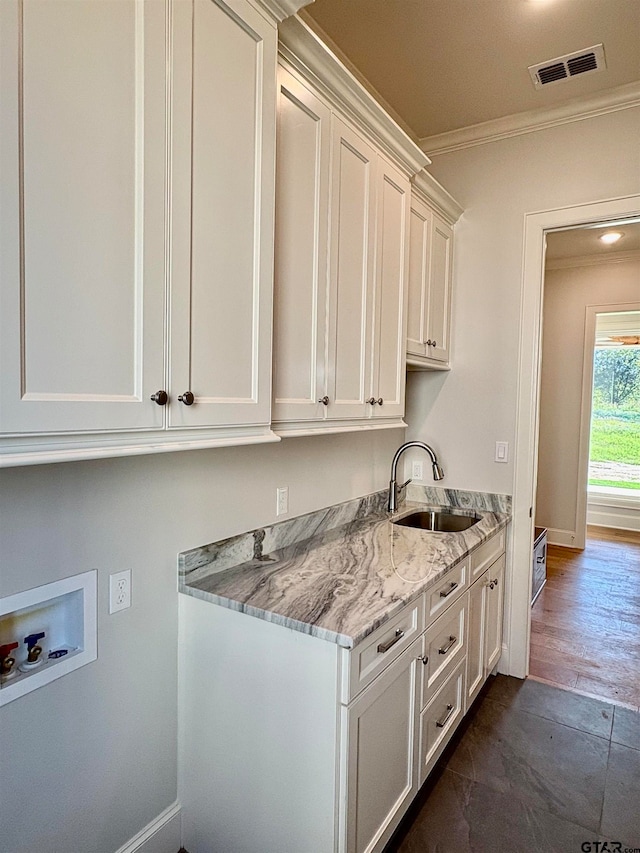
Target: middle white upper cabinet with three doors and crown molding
(341,259)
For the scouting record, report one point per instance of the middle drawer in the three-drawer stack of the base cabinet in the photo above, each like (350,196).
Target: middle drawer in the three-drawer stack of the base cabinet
(444,645)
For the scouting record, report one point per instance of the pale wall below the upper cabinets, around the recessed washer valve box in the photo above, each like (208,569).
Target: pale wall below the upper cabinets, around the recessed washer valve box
(90,759)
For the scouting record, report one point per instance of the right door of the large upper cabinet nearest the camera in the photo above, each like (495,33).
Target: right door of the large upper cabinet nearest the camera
(223,141)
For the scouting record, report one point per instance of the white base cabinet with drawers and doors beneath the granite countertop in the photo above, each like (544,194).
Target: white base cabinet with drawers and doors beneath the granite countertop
(292,743)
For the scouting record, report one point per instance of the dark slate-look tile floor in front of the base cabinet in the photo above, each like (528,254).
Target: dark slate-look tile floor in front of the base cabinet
(535,769)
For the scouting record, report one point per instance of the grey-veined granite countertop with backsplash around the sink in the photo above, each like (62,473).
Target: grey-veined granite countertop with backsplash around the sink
(339,573)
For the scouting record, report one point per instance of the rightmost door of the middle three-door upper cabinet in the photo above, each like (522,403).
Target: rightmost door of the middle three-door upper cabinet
(392,217)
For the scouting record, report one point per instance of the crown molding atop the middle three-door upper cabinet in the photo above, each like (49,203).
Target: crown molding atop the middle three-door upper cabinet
(309,55)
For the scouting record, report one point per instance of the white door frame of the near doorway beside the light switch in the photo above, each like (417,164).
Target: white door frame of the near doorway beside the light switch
(518,593)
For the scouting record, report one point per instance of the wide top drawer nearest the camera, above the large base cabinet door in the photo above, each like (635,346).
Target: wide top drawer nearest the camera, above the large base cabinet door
(383,646)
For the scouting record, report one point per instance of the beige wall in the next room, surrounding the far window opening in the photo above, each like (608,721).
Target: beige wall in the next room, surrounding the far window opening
(567,294)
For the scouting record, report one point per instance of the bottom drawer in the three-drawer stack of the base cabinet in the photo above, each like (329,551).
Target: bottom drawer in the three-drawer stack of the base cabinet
(440,718)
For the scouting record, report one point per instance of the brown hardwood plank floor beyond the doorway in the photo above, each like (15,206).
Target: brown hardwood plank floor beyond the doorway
(585,628)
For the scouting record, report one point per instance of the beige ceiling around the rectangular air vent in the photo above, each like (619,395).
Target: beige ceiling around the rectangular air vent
(441,65)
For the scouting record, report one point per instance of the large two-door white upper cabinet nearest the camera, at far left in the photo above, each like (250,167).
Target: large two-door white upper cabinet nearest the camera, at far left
(137,166)
